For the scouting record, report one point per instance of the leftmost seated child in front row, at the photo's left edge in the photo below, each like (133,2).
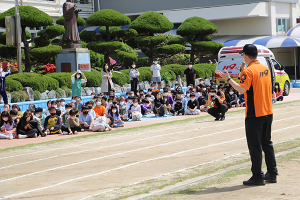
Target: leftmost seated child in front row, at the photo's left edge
(7,126)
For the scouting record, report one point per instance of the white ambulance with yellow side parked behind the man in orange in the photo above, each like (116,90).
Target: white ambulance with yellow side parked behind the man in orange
(230,59)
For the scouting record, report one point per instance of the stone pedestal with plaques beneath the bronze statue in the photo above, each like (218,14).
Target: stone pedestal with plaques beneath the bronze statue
(73,59)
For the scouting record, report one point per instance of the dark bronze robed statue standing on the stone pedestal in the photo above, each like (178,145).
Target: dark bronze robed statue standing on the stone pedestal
(71,36)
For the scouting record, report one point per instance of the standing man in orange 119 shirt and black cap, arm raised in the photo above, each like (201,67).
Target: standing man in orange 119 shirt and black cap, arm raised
(256,84)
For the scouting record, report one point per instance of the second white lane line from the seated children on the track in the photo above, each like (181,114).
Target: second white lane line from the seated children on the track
(132,141)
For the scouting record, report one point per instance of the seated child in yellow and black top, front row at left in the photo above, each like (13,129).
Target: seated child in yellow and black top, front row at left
(52,123)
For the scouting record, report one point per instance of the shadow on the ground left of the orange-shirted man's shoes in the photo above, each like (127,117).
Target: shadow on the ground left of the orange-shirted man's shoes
(211,190)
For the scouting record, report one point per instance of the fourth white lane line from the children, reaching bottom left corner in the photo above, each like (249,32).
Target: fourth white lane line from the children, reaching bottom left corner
(135,163)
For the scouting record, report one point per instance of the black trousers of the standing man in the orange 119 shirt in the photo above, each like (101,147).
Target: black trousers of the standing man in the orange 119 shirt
(258,133)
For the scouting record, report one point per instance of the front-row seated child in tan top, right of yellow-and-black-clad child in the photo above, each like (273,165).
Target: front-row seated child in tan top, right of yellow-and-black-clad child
(72,123)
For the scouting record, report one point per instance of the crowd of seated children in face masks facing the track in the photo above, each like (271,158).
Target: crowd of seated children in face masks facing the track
(102,113)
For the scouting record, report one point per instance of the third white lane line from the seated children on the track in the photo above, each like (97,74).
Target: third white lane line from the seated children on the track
(124,152)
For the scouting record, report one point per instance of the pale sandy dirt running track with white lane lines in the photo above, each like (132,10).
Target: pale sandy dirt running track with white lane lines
(104,164)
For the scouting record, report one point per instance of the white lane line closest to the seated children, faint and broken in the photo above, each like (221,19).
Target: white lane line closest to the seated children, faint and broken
(97,141)
